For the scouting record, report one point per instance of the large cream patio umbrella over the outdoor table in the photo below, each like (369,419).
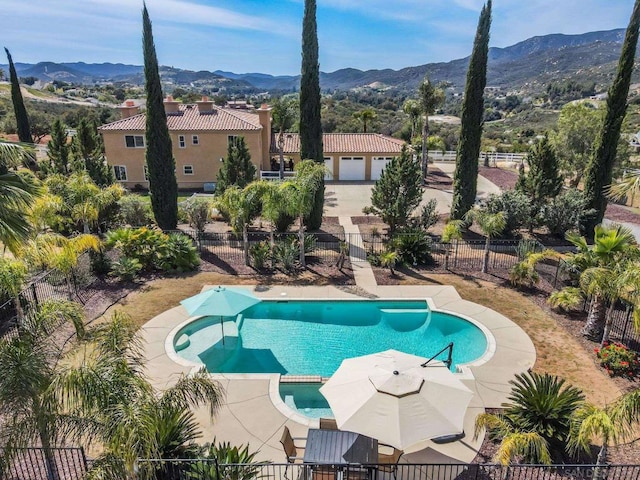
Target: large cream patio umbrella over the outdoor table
(389,396)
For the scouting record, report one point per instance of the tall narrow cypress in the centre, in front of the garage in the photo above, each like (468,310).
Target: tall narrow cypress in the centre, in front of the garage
(310,124)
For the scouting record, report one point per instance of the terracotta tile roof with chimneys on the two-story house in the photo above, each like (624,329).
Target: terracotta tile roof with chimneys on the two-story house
(189,118)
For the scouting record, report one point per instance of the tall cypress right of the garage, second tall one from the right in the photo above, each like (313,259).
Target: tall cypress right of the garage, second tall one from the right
(465,181)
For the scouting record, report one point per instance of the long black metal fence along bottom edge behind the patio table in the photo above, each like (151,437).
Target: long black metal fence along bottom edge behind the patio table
(210,469)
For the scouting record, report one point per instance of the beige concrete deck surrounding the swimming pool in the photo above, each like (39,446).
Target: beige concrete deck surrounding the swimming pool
(250,416)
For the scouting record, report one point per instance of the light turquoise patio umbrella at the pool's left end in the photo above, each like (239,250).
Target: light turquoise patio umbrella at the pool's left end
(220,301)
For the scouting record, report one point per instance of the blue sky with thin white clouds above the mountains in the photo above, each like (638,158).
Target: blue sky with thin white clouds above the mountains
(264,35)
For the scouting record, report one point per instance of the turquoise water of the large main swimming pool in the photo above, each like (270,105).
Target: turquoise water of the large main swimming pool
(313,337)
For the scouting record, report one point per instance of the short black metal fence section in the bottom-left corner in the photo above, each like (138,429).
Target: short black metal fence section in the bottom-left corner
(31,464)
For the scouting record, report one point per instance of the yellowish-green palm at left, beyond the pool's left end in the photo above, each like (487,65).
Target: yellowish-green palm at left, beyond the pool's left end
(52,250)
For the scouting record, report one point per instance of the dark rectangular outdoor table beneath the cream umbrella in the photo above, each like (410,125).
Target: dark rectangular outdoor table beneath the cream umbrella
(340,448)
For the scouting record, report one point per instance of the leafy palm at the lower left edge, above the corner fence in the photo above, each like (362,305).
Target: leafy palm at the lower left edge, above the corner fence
(31,411)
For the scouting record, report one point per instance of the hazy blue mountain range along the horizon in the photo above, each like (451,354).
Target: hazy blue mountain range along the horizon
(525,66)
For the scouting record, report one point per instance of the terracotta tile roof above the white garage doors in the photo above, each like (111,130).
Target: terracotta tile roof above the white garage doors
(345,143)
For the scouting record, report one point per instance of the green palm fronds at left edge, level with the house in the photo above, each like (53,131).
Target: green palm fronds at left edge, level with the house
(17,193)
